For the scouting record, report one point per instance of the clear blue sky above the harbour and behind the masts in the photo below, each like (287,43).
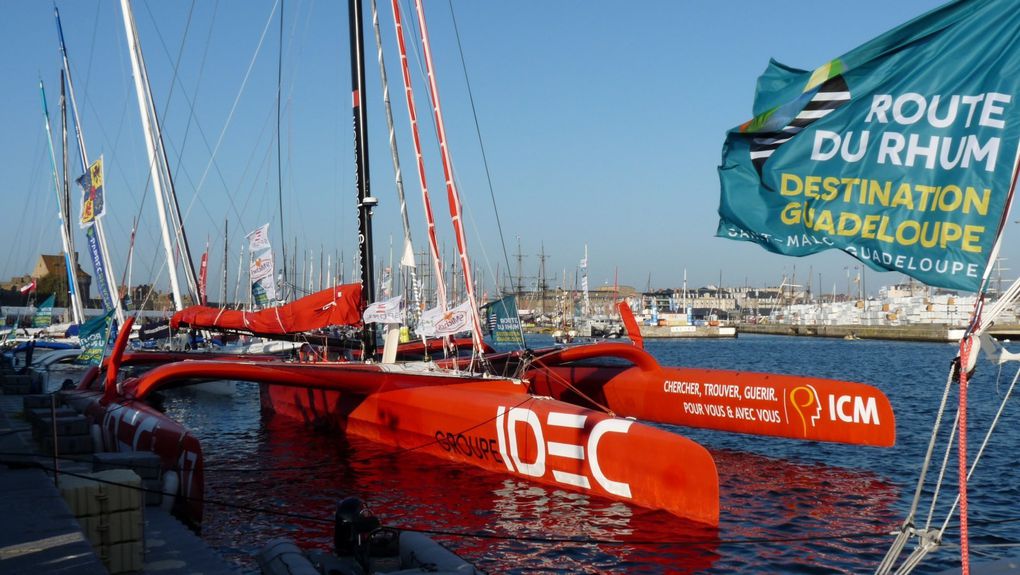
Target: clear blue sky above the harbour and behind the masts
(602,124)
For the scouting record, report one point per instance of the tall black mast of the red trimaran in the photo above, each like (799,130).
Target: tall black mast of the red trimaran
(366,201)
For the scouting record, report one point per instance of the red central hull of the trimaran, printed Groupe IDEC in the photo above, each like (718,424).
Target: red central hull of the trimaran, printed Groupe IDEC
(498,426)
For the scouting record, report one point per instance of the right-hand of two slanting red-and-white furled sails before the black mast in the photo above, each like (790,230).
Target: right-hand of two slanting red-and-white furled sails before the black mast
(453,197)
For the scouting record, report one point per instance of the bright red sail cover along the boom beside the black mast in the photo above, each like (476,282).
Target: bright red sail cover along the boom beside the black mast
(335,306)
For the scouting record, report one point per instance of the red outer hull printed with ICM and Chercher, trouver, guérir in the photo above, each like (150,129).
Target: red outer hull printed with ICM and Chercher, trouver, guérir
(761,404)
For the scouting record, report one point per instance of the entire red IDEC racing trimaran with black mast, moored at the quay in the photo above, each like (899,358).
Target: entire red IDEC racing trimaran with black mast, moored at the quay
(565,420)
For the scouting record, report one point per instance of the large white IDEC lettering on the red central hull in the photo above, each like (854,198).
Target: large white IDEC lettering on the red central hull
(507,422)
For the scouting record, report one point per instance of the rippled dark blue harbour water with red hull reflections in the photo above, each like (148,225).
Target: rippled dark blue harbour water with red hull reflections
(787,506)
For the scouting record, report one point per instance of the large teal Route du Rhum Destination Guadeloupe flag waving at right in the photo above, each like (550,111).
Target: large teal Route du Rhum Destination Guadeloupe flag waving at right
(900,153)
